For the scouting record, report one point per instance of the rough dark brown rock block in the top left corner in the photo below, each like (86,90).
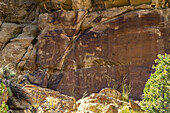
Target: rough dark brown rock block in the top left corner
(22,11)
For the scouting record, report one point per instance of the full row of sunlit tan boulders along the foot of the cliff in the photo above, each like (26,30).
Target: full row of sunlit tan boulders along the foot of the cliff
(31,98)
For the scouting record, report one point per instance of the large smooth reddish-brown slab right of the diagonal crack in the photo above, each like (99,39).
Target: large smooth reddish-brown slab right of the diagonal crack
(123,47)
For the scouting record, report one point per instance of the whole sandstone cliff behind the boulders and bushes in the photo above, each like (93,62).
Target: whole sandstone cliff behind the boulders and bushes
(78,46)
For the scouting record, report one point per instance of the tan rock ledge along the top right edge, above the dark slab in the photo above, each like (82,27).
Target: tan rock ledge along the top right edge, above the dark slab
(94,5)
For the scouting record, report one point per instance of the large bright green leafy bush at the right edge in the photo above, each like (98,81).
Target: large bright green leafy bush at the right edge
(157,88)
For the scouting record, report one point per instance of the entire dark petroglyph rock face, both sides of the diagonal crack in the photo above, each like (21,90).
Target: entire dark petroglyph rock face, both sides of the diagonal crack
(87,52)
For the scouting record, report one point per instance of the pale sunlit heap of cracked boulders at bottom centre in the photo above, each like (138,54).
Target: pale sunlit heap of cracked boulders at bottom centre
(99,102)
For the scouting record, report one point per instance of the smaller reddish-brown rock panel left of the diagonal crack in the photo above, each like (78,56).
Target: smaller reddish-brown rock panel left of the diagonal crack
(60,29)
